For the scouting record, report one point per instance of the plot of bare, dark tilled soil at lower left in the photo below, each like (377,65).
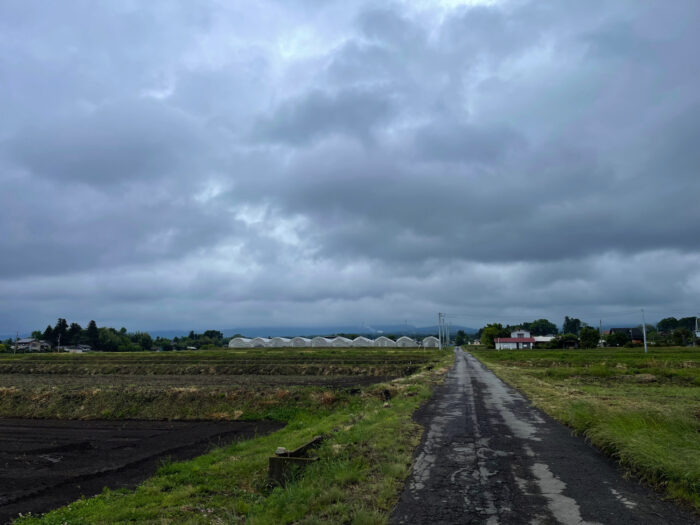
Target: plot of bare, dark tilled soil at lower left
(48,463)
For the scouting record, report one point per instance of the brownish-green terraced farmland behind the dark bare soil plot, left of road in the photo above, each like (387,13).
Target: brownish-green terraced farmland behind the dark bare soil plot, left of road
(259,383)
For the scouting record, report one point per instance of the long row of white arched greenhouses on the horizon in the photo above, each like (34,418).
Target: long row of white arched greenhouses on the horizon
(333,342)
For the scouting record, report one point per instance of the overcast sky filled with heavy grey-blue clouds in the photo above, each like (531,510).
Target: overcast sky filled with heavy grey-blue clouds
(219,164)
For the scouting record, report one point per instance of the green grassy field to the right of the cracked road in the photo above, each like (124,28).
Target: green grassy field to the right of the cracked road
(642,409)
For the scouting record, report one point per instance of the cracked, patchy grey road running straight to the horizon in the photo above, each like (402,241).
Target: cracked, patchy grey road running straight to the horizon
(489,457)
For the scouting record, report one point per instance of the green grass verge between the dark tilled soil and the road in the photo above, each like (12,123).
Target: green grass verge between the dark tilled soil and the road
(362,467)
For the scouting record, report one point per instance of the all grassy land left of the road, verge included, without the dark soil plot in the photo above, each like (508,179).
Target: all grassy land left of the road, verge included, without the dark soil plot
(363,461)
